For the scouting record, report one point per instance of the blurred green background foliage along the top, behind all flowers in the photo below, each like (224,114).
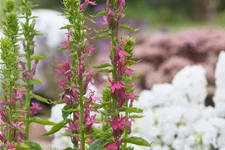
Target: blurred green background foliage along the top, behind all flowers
(170,13)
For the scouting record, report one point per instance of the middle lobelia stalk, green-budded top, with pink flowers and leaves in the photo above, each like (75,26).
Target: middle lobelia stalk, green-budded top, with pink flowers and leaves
(78,98)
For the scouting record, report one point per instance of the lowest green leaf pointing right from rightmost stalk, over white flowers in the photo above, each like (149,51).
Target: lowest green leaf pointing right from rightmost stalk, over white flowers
(137,141)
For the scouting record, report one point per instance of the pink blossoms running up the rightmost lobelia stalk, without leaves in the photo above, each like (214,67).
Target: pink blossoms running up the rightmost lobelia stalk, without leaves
(120,68)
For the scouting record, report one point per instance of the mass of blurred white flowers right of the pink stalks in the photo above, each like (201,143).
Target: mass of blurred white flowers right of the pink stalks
(175,116)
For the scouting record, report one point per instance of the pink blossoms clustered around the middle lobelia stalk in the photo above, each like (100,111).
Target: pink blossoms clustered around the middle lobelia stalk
(75,82)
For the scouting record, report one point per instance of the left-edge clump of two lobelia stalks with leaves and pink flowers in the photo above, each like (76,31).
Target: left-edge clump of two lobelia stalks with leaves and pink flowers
(15,115)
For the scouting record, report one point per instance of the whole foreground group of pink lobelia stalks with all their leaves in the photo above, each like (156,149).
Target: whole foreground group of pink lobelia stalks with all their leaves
(82,108)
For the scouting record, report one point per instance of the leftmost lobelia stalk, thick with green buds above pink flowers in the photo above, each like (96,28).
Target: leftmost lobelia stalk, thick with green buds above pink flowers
(11,127)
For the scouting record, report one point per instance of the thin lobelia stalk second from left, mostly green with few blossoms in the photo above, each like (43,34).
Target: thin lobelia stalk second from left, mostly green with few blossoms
(29,66)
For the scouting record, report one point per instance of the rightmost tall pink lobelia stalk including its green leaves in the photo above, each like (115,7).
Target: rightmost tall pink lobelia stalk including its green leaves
(117,106)
